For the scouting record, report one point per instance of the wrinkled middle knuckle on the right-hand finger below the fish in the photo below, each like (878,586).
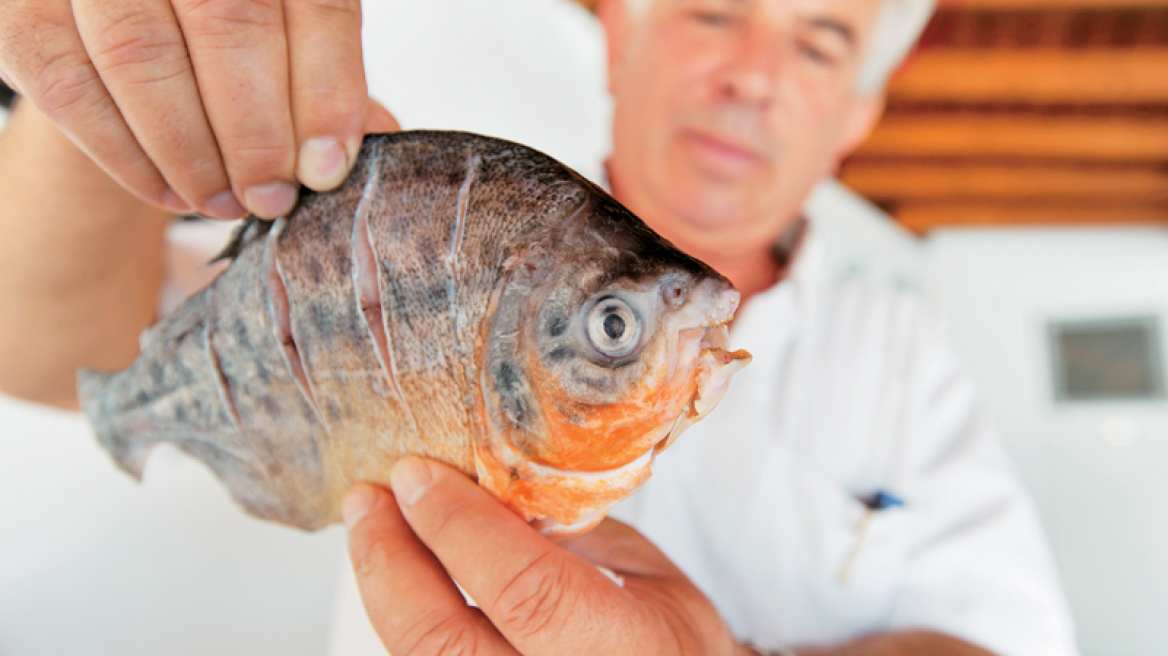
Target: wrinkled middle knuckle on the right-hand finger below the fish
(538,601)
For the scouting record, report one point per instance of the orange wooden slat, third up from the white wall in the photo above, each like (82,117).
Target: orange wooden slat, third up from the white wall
(1117,139)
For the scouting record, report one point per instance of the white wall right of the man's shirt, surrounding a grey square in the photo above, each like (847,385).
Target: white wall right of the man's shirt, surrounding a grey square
(1099,470)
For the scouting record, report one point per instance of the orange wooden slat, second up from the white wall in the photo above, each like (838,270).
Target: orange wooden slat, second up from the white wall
(892,180)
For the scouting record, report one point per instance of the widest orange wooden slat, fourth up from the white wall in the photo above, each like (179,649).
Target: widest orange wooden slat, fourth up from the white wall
(1045,76)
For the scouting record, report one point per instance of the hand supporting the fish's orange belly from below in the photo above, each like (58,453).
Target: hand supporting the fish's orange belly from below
(536,597)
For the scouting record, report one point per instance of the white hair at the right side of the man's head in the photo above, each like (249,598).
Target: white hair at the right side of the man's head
(899,25)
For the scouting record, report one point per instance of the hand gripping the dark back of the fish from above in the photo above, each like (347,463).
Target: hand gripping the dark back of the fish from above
(210,106)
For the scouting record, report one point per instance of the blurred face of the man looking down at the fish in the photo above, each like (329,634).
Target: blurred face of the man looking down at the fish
(729,111)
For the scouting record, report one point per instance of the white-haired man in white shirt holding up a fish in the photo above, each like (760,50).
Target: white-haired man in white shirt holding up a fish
(727,114)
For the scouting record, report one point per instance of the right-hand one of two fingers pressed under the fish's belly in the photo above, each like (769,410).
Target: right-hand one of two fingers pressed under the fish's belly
(544,599)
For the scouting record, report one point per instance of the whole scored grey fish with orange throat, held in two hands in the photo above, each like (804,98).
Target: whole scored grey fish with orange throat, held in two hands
(460,298)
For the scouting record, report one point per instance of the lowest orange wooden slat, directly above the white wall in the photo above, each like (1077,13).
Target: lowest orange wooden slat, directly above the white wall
(923,218)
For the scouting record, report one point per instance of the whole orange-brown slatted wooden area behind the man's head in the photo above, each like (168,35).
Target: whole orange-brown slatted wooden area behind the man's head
(1027,113)
